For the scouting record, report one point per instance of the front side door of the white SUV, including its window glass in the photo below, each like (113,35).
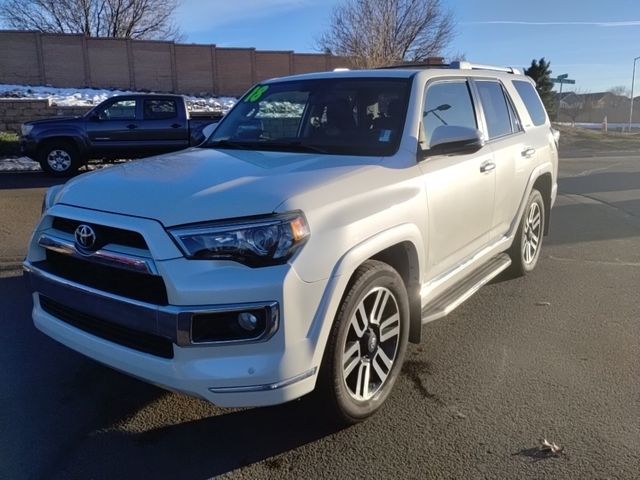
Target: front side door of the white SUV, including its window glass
(460,188)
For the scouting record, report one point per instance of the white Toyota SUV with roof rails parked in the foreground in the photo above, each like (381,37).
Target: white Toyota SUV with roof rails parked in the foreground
(326,219)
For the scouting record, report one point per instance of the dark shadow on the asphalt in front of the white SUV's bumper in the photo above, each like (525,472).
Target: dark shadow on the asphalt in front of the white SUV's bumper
(71,417)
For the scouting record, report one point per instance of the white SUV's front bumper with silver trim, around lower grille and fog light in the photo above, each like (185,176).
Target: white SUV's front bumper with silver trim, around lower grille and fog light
(266,372)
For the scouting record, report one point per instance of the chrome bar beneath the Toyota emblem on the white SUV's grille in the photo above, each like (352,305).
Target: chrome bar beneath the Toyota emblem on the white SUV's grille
(103,257)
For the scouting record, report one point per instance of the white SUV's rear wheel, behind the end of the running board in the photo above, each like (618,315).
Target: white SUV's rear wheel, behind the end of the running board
(526,247)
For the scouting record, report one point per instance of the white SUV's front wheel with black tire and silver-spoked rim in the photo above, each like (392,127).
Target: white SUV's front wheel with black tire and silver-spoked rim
(358,347)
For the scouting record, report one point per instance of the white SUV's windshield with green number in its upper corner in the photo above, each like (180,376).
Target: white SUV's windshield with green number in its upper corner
(356,116)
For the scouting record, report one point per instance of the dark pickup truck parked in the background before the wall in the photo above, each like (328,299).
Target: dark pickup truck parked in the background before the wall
(125,126)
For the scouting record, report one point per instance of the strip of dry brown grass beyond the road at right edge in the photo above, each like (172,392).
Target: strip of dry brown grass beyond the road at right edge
(582,141)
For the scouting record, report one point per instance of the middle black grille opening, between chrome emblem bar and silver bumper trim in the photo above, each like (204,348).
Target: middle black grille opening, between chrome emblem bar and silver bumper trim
(138,286)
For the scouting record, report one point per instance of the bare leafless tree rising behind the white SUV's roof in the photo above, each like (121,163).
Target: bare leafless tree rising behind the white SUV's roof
(374,33)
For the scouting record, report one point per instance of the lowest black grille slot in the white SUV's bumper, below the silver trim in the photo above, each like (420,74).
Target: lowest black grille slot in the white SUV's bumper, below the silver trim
(127,337)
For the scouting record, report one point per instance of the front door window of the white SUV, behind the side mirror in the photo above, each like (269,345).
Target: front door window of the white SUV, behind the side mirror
(447,103)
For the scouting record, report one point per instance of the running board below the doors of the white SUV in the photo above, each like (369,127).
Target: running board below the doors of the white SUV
(451,299)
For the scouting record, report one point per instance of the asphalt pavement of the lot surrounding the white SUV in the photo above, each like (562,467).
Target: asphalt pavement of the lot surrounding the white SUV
(553,355)
